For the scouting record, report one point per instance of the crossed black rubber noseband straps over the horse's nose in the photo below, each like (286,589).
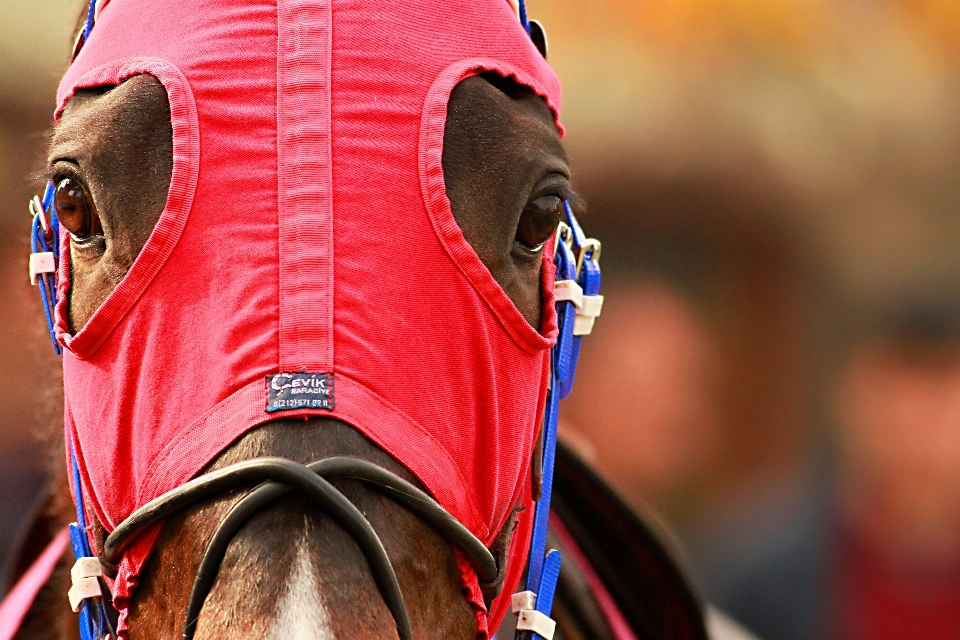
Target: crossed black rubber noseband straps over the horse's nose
(276,477)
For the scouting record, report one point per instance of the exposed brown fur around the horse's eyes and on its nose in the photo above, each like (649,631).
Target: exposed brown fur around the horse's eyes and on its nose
(501,151)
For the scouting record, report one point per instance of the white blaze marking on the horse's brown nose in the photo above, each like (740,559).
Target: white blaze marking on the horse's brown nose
(302,615)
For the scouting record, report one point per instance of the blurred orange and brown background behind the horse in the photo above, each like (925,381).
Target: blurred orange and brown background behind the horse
(777,369)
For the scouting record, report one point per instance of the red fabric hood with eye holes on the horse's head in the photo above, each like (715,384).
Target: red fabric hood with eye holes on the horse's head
(307,230)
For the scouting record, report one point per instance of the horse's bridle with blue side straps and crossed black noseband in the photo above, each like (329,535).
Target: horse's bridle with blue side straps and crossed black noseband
(268,479)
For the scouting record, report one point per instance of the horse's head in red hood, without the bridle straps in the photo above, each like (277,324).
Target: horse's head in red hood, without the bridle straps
(174,185)
